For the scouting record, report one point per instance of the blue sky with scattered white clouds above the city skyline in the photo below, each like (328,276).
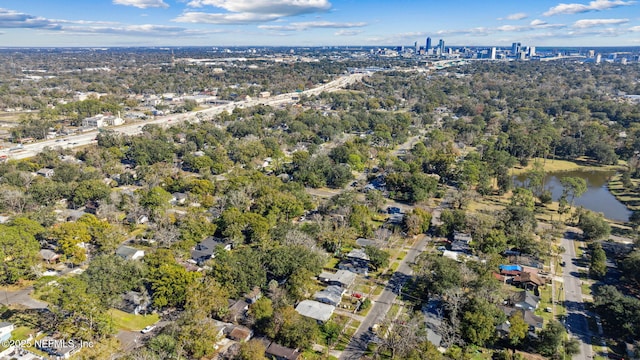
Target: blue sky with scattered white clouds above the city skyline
(317,22)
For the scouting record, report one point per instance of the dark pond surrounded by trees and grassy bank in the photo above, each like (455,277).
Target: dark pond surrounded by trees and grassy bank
(597,197)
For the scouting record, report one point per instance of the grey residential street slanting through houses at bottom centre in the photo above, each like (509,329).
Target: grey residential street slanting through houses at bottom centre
(358,344)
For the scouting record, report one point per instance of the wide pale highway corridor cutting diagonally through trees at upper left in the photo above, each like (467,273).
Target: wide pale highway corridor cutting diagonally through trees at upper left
(86,138)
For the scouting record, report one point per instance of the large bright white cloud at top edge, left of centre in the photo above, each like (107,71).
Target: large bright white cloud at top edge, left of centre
(250,11)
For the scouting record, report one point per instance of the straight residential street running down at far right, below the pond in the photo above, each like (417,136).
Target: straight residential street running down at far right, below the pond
(576,321)
